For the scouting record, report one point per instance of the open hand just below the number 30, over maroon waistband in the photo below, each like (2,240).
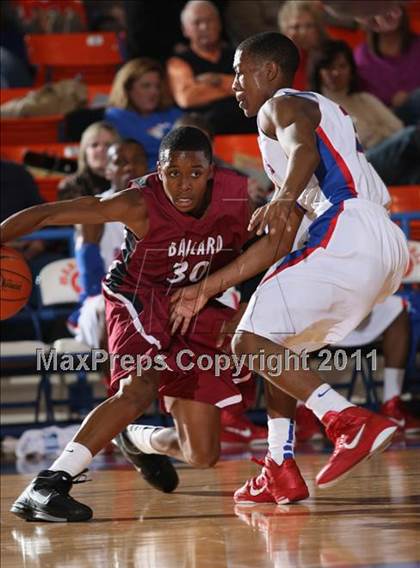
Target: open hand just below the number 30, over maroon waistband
(185,304)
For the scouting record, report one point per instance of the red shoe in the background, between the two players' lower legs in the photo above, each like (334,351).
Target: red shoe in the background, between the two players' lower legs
(238,429)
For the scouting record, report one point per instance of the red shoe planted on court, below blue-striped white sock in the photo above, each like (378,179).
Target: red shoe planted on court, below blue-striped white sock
(275,484)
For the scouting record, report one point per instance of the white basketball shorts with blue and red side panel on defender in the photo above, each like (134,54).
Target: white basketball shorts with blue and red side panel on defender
(355,257)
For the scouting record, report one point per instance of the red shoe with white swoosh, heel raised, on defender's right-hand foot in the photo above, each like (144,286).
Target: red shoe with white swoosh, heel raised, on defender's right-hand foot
(357,434)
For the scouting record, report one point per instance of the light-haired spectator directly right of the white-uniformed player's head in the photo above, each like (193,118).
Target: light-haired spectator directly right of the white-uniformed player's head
(302,21)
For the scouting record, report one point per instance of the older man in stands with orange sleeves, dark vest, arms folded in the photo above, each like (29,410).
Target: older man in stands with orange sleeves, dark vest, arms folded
(201,76)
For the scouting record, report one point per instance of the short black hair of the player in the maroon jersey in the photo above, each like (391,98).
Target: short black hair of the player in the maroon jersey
(186,139)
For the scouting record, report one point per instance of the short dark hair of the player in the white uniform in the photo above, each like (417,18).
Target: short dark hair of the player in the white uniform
(273,46)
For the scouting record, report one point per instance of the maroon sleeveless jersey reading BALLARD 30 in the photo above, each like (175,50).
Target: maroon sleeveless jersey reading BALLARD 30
(179,249)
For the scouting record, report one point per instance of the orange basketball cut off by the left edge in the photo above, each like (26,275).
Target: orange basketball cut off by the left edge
(15,282)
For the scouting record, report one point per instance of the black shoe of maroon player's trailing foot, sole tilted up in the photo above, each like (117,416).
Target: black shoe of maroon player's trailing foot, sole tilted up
(156,469)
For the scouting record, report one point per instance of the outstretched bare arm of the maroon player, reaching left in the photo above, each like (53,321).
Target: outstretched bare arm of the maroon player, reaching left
(126,206)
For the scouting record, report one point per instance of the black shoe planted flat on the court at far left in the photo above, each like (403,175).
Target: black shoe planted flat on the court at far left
(47,499)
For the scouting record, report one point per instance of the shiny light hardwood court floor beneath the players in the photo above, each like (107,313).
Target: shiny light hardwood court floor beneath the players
(371,519)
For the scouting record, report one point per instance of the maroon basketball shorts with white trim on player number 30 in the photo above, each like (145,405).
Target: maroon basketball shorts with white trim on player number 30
(190,366)
